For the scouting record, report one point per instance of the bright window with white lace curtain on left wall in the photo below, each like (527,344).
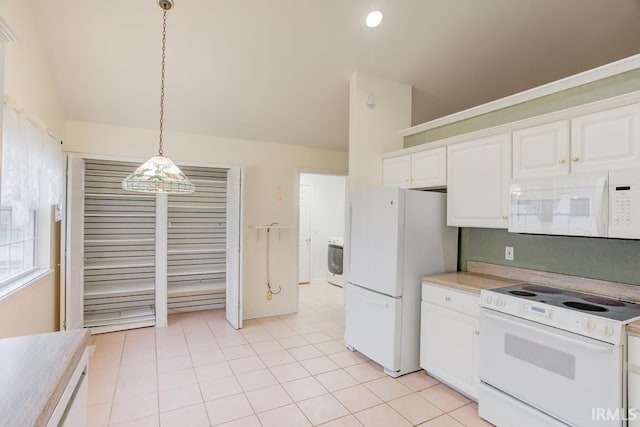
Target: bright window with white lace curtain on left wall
(32,181)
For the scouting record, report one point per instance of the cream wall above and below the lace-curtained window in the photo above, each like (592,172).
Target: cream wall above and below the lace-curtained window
(28,82)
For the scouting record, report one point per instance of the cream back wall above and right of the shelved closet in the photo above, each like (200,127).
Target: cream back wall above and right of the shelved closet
(270,194)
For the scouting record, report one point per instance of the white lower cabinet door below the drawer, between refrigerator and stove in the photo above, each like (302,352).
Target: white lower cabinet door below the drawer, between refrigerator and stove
(448,347)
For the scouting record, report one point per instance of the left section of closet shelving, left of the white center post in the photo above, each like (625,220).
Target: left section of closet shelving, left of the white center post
(119,249)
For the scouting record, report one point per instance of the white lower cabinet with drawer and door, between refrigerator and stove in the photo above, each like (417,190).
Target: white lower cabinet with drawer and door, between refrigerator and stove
(449,329)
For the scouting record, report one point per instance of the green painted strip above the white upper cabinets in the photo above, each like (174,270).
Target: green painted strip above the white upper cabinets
(590,92)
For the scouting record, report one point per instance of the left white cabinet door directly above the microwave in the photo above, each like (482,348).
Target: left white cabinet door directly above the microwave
(541,150)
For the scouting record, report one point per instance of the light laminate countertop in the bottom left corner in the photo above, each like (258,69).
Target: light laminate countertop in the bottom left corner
(34,371)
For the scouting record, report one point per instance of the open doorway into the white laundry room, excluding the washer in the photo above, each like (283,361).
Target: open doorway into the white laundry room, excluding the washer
(322,216)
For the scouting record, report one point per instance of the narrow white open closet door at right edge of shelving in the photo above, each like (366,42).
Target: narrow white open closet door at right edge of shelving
(233,310)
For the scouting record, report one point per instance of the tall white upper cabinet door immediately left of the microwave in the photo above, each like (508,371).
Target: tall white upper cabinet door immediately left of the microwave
(478,175)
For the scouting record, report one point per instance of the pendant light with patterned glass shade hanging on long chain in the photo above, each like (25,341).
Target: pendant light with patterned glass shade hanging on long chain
(159,174)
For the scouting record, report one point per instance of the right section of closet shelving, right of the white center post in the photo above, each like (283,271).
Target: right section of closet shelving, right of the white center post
(197,243)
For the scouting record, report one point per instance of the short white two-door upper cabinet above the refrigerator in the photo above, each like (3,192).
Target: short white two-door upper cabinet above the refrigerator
(416,170)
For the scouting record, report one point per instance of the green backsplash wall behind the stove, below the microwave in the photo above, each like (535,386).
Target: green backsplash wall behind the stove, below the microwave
(606,259)
